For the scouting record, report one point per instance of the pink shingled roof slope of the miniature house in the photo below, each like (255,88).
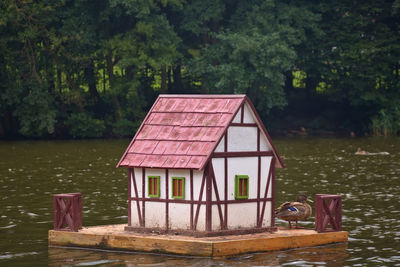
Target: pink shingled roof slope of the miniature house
(181,131)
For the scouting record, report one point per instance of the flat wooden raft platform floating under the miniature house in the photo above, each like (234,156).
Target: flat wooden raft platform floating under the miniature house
(114,237)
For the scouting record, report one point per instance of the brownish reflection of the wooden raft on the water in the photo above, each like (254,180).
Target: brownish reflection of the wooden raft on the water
(331,254)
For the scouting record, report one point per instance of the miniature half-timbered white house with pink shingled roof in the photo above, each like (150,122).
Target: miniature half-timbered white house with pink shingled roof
(201,164)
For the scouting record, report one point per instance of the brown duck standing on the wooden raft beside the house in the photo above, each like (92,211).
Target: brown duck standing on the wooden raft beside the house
(295,211)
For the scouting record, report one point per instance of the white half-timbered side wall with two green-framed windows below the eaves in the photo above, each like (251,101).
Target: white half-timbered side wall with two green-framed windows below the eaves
(159,212)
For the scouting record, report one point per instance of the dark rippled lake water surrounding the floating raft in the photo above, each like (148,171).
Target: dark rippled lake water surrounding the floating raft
(31,172)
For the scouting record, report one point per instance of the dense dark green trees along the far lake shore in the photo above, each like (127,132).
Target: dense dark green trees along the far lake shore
(92,68)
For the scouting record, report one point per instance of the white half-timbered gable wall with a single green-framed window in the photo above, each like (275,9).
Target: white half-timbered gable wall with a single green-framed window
(242,136)
